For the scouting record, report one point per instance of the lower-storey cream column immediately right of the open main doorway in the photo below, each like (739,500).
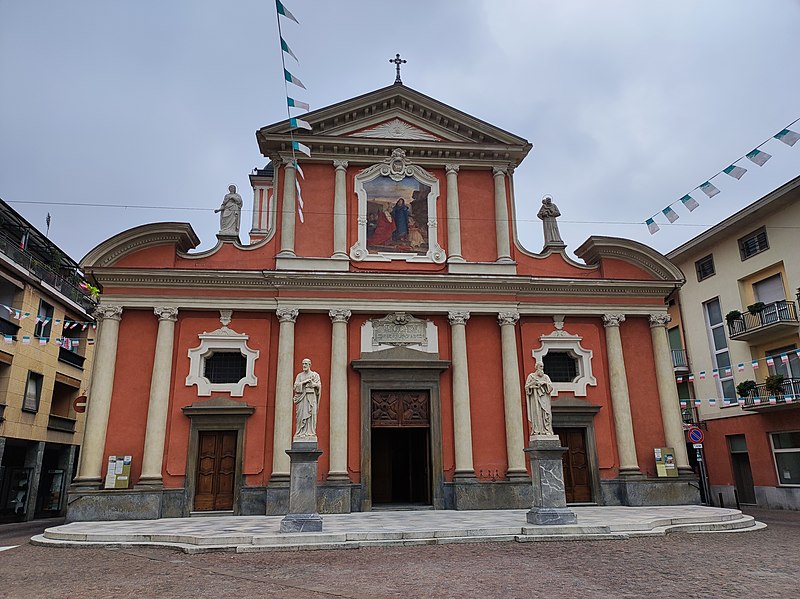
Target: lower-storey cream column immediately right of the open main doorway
(462,420)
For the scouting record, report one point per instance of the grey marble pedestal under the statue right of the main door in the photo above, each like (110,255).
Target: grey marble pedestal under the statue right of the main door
(547,477)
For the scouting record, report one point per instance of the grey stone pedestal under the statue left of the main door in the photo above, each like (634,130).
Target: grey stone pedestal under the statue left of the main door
(303,516)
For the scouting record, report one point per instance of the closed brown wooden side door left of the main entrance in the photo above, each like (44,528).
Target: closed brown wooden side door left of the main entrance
(216,471)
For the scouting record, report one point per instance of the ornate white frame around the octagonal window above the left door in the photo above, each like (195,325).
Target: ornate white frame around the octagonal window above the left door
(221,340)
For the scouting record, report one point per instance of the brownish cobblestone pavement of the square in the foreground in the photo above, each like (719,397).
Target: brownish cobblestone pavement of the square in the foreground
(754,564)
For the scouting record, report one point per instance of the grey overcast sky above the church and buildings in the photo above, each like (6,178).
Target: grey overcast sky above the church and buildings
(629,104)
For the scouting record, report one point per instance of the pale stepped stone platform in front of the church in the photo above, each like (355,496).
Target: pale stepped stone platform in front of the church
(244,534)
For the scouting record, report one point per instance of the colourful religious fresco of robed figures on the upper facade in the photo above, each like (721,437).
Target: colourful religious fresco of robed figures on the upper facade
(397,215)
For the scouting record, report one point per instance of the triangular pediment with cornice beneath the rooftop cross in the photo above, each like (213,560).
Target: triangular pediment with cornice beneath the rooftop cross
(372,123)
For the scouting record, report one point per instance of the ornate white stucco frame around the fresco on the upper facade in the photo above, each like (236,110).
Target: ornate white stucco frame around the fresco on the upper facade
(397,167)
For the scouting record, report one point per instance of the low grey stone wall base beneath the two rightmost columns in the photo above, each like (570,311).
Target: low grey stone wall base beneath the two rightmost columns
(650,491)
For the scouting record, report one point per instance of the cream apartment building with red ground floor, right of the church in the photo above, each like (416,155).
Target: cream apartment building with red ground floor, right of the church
(738,317)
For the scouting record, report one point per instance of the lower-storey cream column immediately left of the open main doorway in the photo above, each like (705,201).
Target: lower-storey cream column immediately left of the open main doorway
(338,395)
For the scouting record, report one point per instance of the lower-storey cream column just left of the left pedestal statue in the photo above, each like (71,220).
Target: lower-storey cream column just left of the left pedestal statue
(284,391)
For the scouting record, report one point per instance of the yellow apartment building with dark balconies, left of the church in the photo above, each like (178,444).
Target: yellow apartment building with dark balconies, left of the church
(46,344)
